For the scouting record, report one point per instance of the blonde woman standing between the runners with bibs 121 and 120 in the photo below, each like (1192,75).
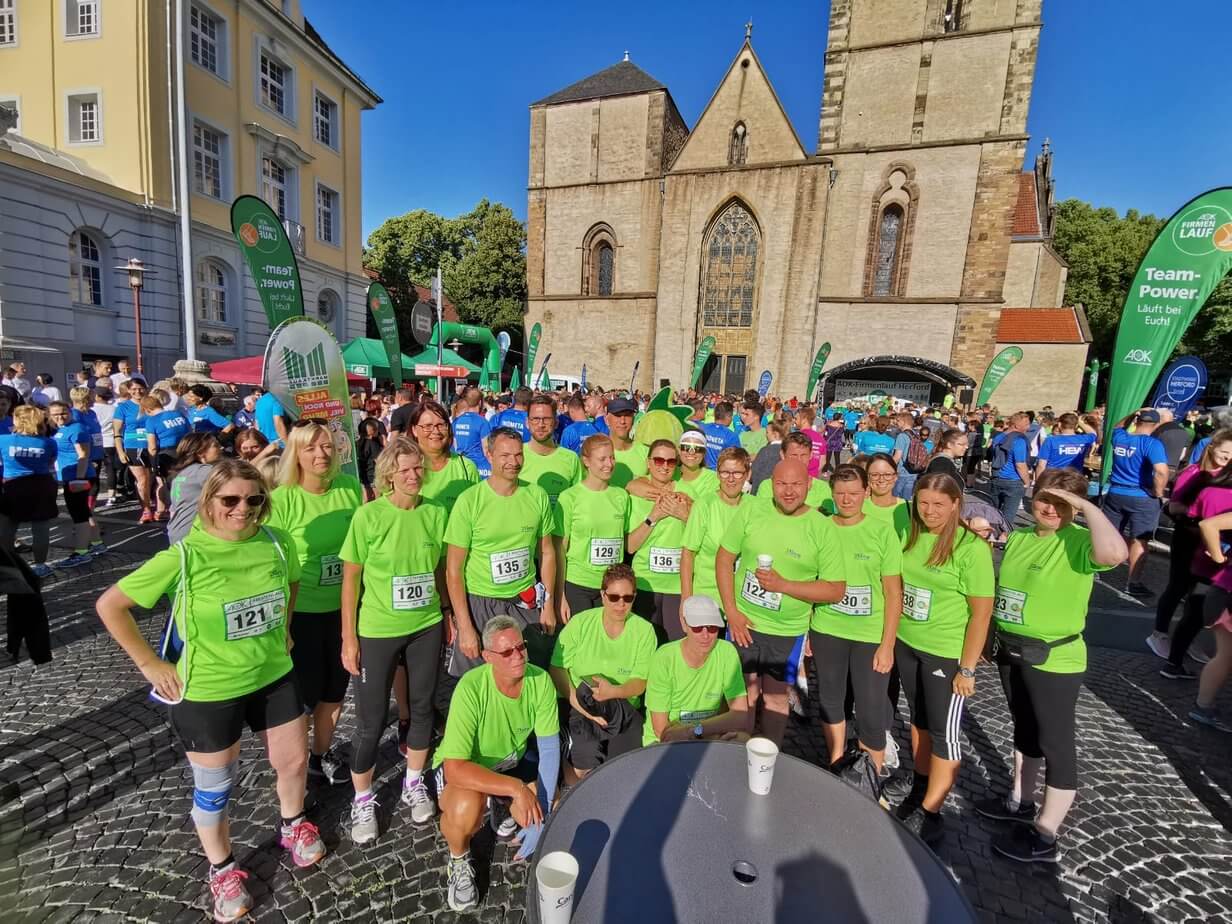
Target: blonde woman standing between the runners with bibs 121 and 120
(315,503)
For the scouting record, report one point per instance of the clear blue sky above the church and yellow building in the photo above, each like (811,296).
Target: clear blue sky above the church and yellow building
(1133,93)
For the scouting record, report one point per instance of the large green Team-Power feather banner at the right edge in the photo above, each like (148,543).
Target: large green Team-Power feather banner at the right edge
(1186,262)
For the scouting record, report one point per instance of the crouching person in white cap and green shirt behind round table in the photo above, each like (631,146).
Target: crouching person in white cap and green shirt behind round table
(695,691)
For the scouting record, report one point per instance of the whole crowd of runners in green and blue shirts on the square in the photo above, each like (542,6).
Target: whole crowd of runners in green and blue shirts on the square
(585,593)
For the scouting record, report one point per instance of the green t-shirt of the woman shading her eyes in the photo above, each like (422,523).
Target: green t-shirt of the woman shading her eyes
(1044,590)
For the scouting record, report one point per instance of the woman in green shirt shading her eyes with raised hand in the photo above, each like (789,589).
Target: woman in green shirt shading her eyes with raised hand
(1043,594)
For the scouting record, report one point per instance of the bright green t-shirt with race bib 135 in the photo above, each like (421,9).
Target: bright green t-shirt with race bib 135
(502,537)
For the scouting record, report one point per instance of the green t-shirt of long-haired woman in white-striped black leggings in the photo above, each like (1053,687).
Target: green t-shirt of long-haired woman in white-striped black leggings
(936,609)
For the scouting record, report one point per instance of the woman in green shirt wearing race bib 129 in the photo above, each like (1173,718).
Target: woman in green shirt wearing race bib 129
(594,518)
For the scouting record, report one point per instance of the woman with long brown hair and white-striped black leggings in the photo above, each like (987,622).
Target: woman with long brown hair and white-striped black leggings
(948,603)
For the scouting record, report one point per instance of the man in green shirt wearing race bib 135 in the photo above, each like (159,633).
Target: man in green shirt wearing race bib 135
(493,535)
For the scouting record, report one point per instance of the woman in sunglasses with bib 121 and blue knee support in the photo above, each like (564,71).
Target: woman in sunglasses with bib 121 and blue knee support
(233,582)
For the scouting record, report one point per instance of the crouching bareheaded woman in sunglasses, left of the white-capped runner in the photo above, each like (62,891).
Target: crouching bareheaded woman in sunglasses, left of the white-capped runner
(599,666)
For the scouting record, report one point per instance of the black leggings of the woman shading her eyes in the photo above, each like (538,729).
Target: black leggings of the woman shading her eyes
(1043,707)
